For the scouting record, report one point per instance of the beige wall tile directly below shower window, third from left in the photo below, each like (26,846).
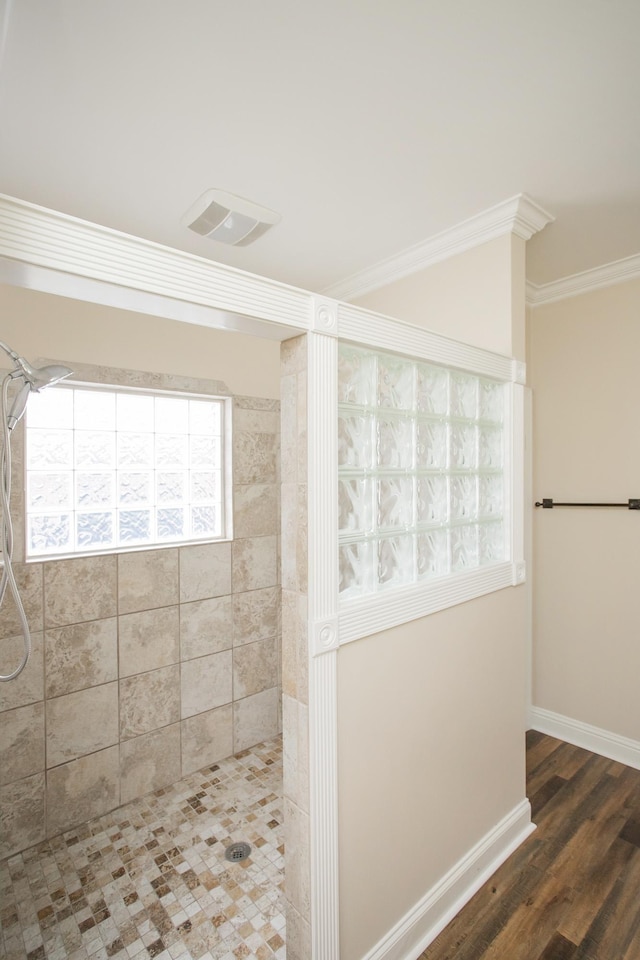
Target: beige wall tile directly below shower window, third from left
(148,579)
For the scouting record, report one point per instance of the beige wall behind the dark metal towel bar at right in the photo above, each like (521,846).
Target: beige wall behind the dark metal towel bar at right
(586,396)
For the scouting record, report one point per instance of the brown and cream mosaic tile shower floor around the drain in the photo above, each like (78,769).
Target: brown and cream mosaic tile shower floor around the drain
(150,879)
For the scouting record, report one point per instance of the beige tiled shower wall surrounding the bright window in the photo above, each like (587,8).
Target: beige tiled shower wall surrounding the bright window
(147,665)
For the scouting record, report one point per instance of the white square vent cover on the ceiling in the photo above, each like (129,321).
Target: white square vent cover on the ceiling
(229,219)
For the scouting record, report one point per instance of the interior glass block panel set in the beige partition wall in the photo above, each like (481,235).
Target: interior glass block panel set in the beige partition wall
(421,471)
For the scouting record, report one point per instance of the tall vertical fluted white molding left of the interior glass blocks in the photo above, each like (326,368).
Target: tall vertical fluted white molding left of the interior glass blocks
(322,525)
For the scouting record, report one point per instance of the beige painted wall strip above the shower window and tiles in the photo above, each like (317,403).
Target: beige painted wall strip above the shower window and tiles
(42,325)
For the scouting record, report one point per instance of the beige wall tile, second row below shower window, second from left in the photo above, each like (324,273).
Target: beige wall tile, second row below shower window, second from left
(81,655)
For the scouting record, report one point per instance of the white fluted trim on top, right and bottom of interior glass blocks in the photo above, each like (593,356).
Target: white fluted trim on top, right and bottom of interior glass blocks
(361,617)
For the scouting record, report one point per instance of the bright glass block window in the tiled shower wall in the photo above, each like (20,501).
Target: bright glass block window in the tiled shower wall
(110,469)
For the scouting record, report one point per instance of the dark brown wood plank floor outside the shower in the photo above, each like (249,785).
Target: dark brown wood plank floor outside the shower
(572,890)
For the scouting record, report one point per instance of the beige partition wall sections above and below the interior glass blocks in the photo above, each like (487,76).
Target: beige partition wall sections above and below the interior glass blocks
(432,713)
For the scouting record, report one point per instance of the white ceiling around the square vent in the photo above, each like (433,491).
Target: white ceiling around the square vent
(369,125)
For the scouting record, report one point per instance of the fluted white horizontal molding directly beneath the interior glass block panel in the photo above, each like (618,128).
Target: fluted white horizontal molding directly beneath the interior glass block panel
(361,618)
